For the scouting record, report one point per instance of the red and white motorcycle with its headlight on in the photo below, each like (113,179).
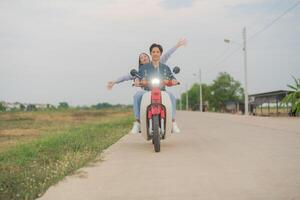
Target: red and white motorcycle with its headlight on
(156,109)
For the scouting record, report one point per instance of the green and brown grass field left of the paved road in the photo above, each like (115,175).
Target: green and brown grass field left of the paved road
(38,149)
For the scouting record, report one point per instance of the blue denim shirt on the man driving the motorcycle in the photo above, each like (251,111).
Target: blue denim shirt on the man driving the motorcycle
(148,72)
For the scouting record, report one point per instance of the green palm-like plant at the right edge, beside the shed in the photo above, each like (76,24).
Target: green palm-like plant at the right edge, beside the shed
(294,96)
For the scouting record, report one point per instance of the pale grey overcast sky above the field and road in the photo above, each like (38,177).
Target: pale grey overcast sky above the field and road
(67,50)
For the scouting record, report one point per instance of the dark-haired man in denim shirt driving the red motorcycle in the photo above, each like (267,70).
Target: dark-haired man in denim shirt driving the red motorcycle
(147,72)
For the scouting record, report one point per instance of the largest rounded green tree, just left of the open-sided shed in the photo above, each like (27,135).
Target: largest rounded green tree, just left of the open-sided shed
(225,88)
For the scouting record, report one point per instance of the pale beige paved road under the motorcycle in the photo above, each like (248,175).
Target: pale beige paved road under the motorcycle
(217,156)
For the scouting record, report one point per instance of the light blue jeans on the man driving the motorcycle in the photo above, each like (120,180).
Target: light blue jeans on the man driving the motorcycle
(137,99)
